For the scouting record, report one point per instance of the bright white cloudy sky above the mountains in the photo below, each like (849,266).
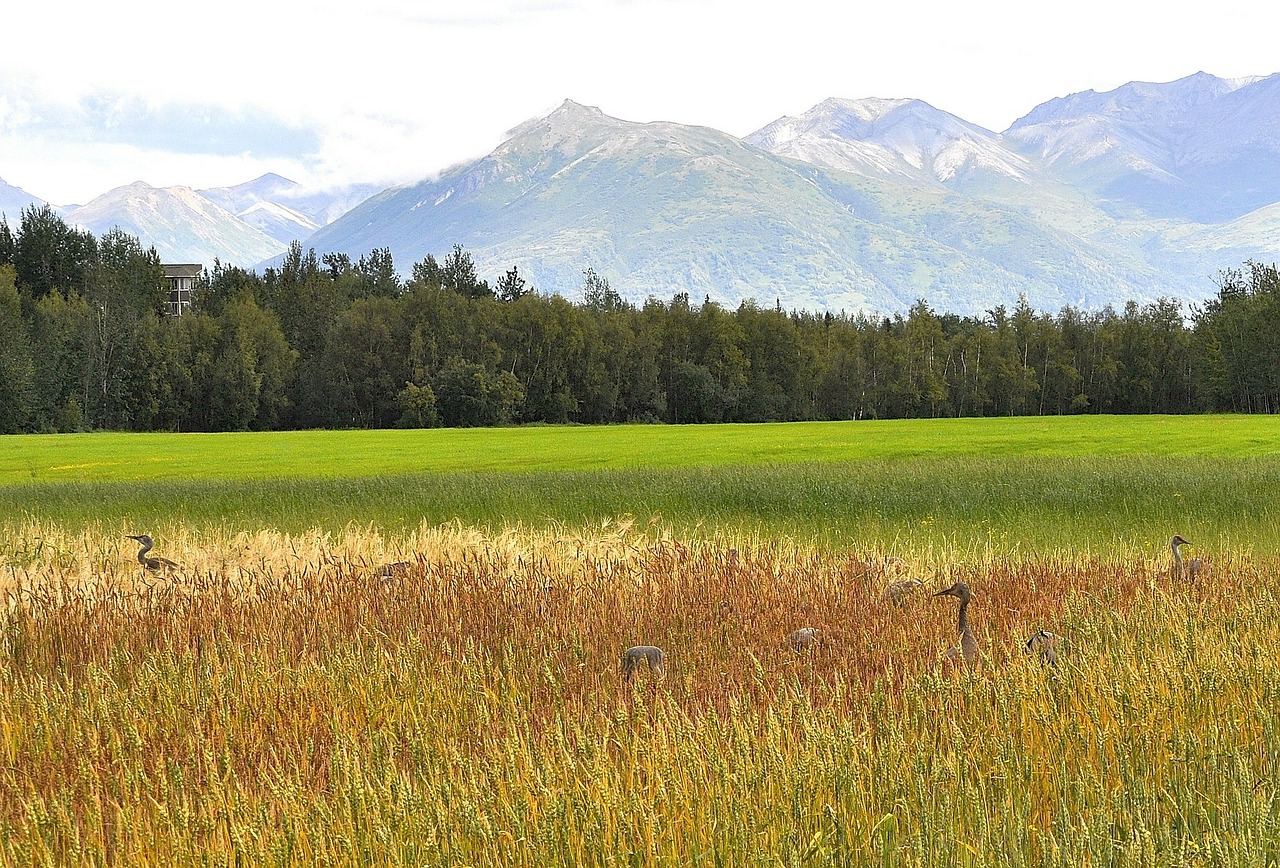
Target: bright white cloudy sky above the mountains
(388,92)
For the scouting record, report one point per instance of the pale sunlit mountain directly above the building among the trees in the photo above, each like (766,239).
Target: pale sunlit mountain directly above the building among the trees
(184,226)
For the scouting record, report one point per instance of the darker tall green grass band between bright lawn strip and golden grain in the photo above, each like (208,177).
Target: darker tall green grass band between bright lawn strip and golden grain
(952,505)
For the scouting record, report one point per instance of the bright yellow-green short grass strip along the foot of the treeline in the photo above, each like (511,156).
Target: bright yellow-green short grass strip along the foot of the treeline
(336,455)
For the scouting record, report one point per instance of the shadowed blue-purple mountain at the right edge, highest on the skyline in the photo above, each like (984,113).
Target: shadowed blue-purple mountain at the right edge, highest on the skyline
(1201,148)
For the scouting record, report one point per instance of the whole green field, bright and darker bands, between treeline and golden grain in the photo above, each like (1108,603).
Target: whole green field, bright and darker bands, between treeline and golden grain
(1076,483)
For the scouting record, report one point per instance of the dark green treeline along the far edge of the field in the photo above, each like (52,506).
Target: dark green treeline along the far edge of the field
(328,342)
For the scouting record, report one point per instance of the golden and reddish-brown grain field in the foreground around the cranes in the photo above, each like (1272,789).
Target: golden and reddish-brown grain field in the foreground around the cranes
(278,701)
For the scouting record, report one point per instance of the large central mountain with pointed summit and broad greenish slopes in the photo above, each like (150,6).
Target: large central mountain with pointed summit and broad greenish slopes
(664,208)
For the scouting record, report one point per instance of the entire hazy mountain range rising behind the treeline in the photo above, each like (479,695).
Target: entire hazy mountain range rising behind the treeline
(1092,199)
